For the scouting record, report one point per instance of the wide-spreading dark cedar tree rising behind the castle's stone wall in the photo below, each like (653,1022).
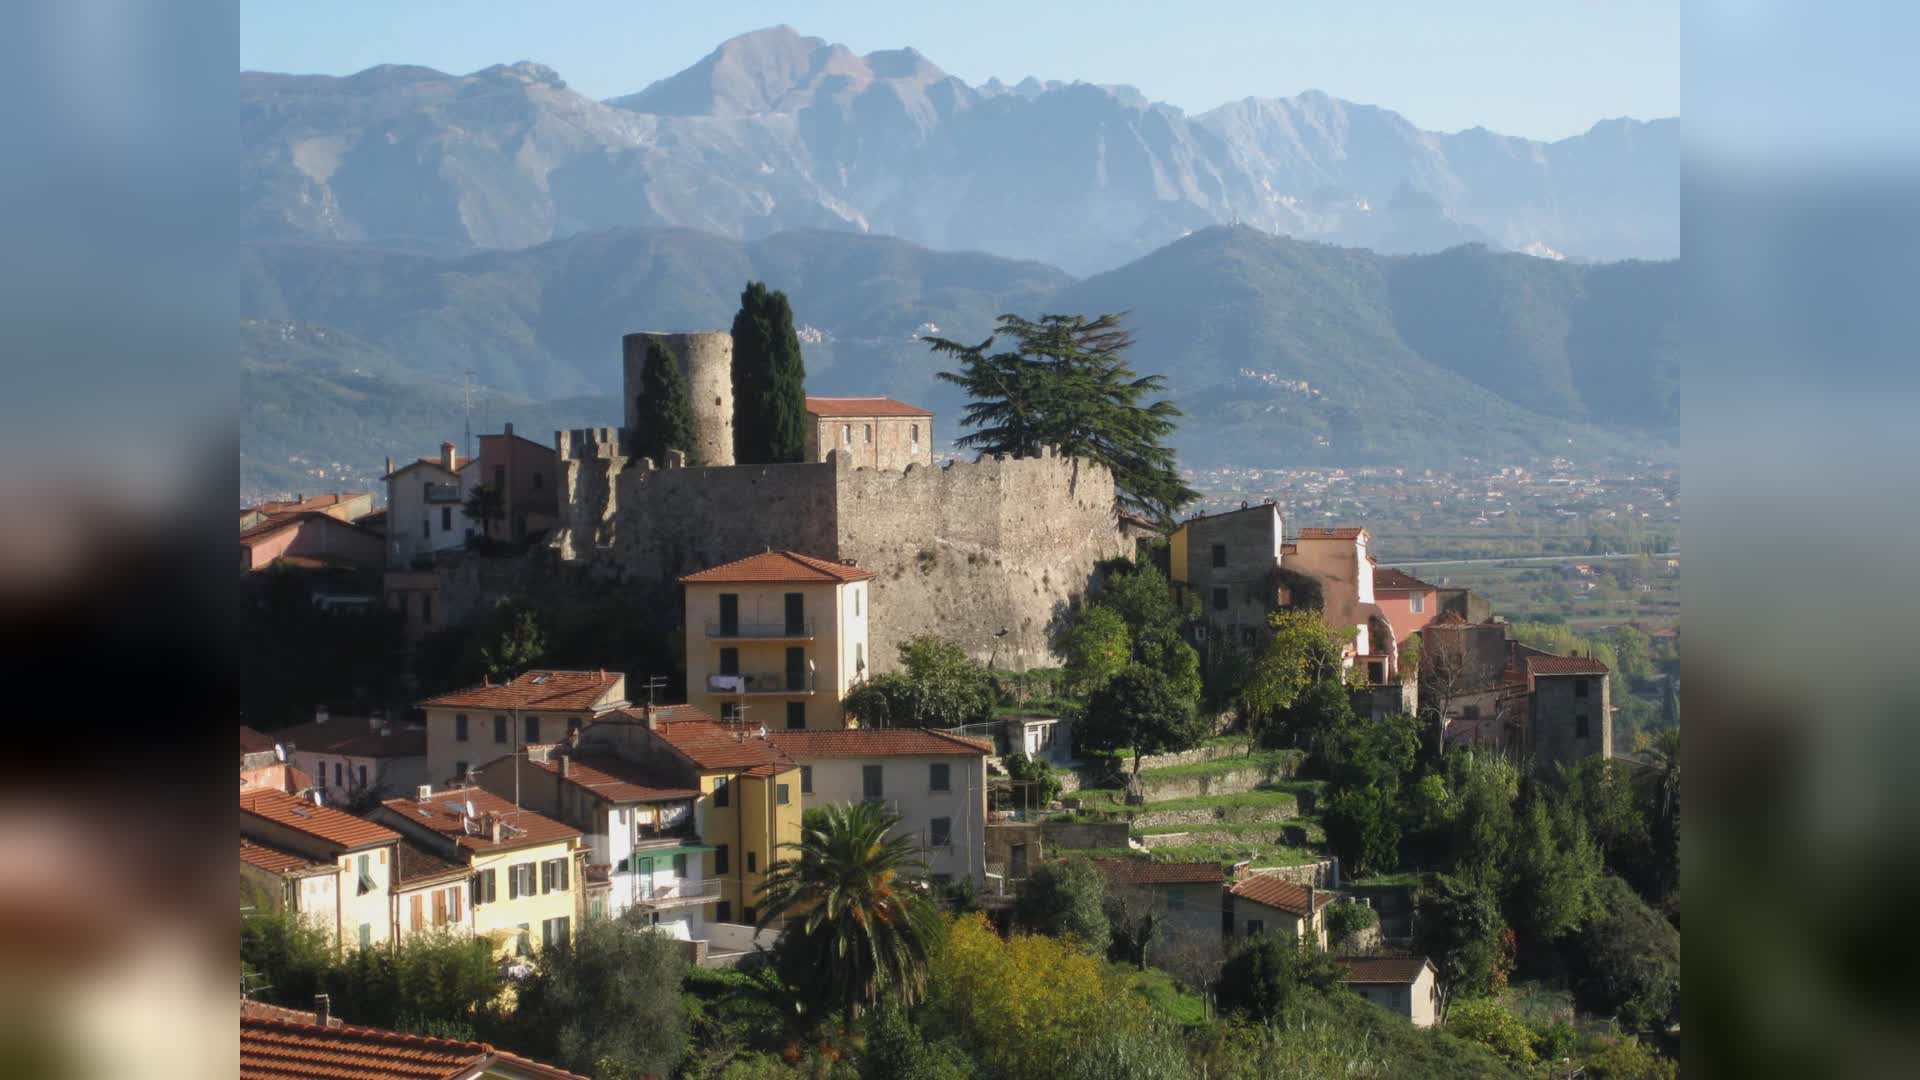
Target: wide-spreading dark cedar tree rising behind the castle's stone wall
(1065,383)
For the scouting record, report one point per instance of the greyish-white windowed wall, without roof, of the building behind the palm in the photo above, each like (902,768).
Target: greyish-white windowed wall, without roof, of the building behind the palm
(905,791)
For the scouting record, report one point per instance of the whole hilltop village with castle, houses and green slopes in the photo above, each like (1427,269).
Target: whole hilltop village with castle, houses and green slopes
(619,679)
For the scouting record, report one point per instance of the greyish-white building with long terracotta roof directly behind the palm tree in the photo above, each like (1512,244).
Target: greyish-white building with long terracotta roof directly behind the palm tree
(936,783)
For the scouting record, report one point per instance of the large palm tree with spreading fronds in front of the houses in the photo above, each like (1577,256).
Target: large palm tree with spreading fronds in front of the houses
(853,933)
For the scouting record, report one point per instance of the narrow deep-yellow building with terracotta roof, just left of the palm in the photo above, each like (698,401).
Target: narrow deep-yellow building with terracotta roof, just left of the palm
(748,810)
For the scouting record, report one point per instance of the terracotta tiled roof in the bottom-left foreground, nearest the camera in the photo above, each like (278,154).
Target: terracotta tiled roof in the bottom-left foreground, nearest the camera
(289,1050)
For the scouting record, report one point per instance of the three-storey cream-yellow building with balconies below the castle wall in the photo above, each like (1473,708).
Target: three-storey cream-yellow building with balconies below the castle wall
(777,639)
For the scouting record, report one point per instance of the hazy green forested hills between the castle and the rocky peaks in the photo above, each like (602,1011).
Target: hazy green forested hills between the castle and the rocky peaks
(1280,351)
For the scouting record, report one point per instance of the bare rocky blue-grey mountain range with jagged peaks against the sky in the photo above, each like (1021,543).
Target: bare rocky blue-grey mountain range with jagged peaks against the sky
(777,132)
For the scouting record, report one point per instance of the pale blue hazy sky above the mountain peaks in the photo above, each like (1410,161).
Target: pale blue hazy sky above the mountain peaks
(1539,68)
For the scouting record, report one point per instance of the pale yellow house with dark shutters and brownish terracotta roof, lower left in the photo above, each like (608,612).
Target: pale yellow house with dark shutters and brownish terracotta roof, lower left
(527,870)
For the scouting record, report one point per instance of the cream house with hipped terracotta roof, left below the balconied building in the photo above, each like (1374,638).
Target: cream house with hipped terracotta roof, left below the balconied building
(471,727)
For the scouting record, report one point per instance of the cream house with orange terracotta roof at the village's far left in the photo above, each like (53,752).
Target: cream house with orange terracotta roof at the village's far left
(362,850)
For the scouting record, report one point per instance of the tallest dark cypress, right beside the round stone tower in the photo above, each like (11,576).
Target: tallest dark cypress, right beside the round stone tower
(769,380)
